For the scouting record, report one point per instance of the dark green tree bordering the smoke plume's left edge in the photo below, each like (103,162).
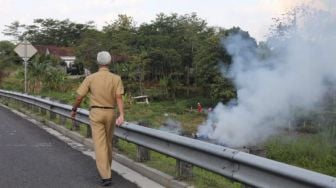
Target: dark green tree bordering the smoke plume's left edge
(210,60)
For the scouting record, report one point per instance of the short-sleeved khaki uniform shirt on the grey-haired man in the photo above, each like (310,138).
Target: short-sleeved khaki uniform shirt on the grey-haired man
(103,87)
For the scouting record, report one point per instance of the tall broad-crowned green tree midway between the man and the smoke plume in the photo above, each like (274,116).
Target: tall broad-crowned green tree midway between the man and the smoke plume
(172,36)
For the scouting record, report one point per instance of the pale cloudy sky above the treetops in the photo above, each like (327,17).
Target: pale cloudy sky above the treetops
(254,16)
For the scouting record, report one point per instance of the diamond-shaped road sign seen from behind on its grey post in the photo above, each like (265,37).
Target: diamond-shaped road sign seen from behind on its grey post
(25,50)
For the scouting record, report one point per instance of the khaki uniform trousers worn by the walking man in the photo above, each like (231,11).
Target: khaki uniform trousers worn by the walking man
(102,125)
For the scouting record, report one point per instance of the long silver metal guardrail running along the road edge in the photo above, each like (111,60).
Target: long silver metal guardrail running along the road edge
(236,165)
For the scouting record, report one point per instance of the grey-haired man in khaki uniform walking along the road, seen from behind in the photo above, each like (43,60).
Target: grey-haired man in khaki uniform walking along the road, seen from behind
(106,91)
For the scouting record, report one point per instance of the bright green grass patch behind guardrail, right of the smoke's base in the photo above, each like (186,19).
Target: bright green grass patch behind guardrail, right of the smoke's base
(311,151)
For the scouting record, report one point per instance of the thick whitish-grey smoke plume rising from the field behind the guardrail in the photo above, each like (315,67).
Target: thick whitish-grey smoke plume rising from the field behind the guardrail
(296,76)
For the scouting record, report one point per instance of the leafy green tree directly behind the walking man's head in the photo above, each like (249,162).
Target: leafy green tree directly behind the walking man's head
(117,37)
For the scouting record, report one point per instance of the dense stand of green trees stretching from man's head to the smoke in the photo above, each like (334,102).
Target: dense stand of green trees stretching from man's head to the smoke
(171,53)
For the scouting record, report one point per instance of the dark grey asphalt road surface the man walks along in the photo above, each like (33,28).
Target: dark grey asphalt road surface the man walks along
(32,158)
